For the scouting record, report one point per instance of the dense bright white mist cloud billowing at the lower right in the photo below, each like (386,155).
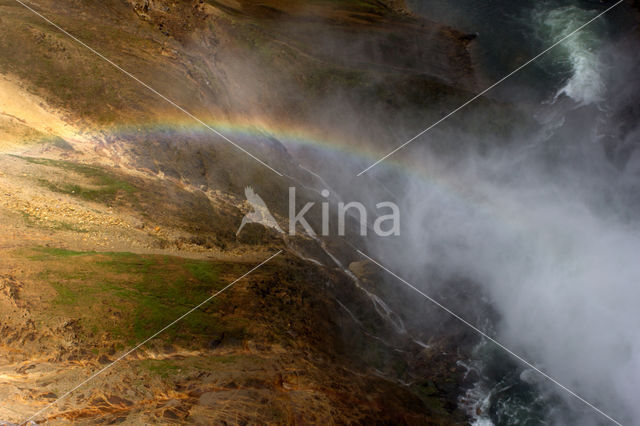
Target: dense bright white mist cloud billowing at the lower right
(561,270)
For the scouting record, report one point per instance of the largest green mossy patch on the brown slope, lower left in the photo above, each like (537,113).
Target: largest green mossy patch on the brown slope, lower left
(132,296)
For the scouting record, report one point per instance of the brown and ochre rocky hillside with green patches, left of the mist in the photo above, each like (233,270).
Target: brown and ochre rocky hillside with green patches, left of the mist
(119,212)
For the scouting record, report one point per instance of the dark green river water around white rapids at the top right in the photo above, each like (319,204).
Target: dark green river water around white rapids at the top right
(512,32)
